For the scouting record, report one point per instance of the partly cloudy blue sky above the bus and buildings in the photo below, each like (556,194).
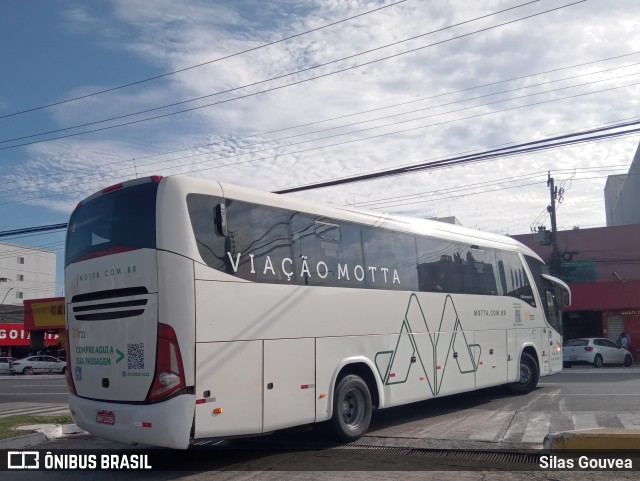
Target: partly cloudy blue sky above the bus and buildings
(57,50)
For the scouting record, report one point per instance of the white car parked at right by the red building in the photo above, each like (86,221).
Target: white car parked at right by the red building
(594,350)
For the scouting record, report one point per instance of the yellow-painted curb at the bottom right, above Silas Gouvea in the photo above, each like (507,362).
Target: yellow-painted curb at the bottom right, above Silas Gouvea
(602,439)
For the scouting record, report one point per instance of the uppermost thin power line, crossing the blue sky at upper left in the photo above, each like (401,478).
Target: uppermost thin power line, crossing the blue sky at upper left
(138,82)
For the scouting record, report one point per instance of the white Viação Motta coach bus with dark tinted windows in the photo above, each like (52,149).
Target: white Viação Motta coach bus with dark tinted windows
(197,309)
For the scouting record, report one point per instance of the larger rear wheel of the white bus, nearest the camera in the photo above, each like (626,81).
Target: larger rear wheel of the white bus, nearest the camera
(352,408)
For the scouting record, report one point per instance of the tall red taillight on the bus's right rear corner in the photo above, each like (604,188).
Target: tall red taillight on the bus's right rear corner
(169,373)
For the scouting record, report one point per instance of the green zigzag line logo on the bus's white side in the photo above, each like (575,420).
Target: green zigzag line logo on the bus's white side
(427,346)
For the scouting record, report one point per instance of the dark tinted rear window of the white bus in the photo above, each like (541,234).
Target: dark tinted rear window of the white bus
(121,220)
